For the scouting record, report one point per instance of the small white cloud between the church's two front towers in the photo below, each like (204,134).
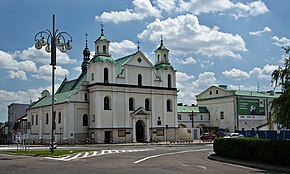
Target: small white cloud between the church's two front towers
(122,48)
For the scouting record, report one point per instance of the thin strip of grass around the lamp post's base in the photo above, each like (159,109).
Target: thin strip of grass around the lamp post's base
(44,152)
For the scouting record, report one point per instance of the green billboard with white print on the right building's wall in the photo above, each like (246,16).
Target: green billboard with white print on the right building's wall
(249,108)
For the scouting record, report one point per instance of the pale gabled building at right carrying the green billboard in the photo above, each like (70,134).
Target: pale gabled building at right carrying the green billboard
(232,110)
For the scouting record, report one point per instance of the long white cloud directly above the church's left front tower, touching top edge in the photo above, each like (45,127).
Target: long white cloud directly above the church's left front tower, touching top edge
(141,9)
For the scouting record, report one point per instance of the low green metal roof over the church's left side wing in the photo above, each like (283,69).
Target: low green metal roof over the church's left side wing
(59,98)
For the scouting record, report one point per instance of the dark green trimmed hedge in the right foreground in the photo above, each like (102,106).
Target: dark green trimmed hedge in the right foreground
(261,150)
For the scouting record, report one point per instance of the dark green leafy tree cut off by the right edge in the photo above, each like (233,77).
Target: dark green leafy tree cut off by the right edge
(281,105)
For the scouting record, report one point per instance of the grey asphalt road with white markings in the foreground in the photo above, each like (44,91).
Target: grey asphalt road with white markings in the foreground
(161,159)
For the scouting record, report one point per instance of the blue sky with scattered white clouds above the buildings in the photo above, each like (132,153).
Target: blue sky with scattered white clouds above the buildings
(231,42)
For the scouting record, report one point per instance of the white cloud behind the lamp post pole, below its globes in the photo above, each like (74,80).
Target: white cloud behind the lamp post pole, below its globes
(44,72)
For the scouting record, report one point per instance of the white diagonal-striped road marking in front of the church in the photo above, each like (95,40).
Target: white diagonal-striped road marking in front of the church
(94,153)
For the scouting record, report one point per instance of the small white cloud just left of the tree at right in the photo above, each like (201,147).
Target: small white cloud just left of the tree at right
(264,73)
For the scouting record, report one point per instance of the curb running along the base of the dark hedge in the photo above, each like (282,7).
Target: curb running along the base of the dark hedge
(252,164)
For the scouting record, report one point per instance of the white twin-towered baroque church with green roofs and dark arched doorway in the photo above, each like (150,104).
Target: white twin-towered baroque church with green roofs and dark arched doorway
(120,100)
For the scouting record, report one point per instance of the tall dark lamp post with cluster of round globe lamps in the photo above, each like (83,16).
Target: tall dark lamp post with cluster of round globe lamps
(57,39)
